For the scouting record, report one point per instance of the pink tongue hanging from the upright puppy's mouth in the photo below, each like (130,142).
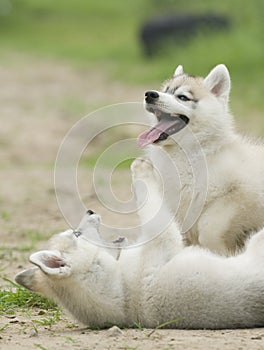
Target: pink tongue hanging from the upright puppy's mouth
(149,136)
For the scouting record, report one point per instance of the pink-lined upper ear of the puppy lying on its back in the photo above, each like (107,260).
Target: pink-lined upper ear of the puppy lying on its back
(51,263)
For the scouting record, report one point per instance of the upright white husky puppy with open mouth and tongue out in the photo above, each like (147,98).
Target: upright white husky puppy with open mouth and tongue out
(213,178)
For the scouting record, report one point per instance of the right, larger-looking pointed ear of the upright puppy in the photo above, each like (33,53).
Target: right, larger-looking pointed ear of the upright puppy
(218,82)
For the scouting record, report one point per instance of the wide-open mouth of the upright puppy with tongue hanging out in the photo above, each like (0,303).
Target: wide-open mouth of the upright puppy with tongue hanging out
(168,124)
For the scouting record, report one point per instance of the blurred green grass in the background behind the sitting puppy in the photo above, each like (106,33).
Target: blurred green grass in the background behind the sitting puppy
(105,35)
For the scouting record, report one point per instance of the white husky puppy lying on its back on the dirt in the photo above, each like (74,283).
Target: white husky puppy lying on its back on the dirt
(154,283)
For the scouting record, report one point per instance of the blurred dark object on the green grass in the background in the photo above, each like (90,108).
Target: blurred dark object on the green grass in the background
(177,28)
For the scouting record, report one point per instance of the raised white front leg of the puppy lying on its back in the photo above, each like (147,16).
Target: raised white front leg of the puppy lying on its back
(155,217)
